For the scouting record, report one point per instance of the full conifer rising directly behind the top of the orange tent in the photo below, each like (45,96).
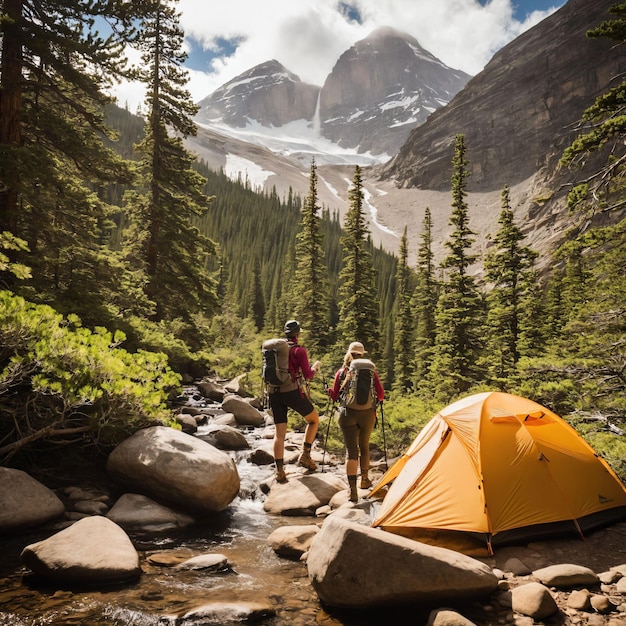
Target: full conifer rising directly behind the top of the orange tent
(507,267)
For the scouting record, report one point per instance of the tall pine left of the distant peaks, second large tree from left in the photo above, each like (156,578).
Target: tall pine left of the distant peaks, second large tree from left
(163,240)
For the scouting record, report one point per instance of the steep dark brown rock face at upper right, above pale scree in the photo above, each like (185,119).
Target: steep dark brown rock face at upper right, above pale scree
(520,112)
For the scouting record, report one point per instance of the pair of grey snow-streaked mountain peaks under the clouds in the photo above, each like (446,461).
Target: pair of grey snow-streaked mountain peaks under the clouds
(377,90)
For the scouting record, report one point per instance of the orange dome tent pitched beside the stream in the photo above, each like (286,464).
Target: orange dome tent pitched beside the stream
(500,467)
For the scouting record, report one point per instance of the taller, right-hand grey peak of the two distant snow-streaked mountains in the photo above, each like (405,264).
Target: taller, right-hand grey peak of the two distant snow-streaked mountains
(381,88)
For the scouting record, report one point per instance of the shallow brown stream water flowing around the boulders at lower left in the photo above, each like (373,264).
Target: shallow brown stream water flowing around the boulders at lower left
(240,533)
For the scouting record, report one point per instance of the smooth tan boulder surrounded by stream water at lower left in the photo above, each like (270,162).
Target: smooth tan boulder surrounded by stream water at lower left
(93,550)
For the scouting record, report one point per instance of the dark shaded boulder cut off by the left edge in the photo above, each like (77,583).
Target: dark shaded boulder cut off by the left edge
(25,502)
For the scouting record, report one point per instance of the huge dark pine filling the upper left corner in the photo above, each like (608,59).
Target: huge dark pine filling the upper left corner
(54,165)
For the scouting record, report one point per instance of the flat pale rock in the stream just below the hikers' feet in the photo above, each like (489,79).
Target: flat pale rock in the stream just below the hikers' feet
(302,495)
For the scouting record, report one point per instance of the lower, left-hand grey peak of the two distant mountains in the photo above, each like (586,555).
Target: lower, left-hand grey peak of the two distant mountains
(267,93)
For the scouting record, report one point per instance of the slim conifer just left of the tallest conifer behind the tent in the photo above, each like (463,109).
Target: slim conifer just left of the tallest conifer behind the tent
(424,302)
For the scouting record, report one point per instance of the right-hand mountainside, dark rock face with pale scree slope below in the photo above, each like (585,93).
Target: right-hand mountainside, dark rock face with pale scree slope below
(542,81)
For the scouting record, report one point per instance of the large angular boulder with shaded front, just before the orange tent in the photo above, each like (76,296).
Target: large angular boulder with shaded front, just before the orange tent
(354,566)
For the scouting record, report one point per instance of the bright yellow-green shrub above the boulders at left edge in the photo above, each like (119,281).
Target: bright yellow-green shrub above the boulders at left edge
(58,378)
